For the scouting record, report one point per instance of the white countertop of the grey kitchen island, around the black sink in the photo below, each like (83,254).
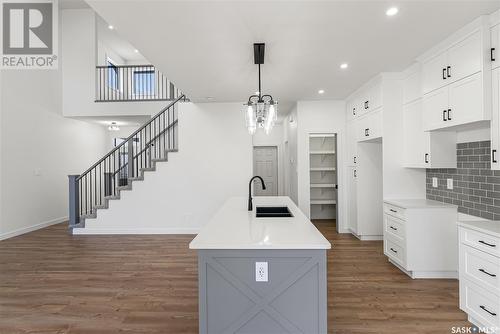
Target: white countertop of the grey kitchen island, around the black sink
(233,227)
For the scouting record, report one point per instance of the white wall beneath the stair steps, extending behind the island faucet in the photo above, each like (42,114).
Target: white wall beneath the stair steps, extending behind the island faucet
(214,162)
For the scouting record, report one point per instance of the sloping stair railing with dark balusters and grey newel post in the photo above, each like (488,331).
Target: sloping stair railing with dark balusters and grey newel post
(121,167)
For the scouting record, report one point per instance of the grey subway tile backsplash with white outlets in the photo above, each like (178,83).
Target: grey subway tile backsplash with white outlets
(476,188)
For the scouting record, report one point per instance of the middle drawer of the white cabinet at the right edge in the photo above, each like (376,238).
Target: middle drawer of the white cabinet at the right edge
(480,267)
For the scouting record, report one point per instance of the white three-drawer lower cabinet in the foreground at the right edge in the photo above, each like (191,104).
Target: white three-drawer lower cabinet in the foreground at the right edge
(479,265)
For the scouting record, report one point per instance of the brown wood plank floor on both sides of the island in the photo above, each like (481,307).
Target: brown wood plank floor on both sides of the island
(51,282)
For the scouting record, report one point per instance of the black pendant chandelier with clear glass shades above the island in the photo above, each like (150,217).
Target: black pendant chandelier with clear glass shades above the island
(261,110)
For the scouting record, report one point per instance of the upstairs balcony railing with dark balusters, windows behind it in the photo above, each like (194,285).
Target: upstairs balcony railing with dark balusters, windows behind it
(125,83)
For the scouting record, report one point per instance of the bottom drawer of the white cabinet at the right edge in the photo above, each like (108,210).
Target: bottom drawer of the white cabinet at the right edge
(479,303)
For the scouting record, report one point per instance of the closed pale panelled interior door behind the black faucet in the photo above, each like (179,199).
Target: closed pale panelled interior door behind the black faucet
(265,165)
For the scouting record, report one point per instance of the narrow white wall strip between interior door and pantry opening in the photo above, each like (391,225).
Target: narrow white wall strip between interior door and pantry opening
(290,155)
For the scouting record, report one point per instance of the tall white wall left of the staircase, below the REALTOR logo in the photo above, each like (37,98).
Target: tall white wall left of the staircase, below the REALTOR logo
(39,148)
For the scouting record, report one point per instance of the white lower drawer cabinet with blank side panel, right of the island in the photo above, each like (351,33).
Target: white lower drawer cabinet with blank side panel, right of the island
(420,237)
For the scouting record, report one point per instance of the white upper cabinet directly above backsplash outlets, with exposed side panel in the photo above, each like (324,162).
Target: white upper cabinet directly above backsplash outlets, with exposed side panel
(423,149)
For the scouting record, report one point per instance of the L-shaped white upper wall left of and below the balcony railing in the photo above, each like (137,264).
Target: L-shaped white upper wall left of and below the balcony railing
(79,54)
